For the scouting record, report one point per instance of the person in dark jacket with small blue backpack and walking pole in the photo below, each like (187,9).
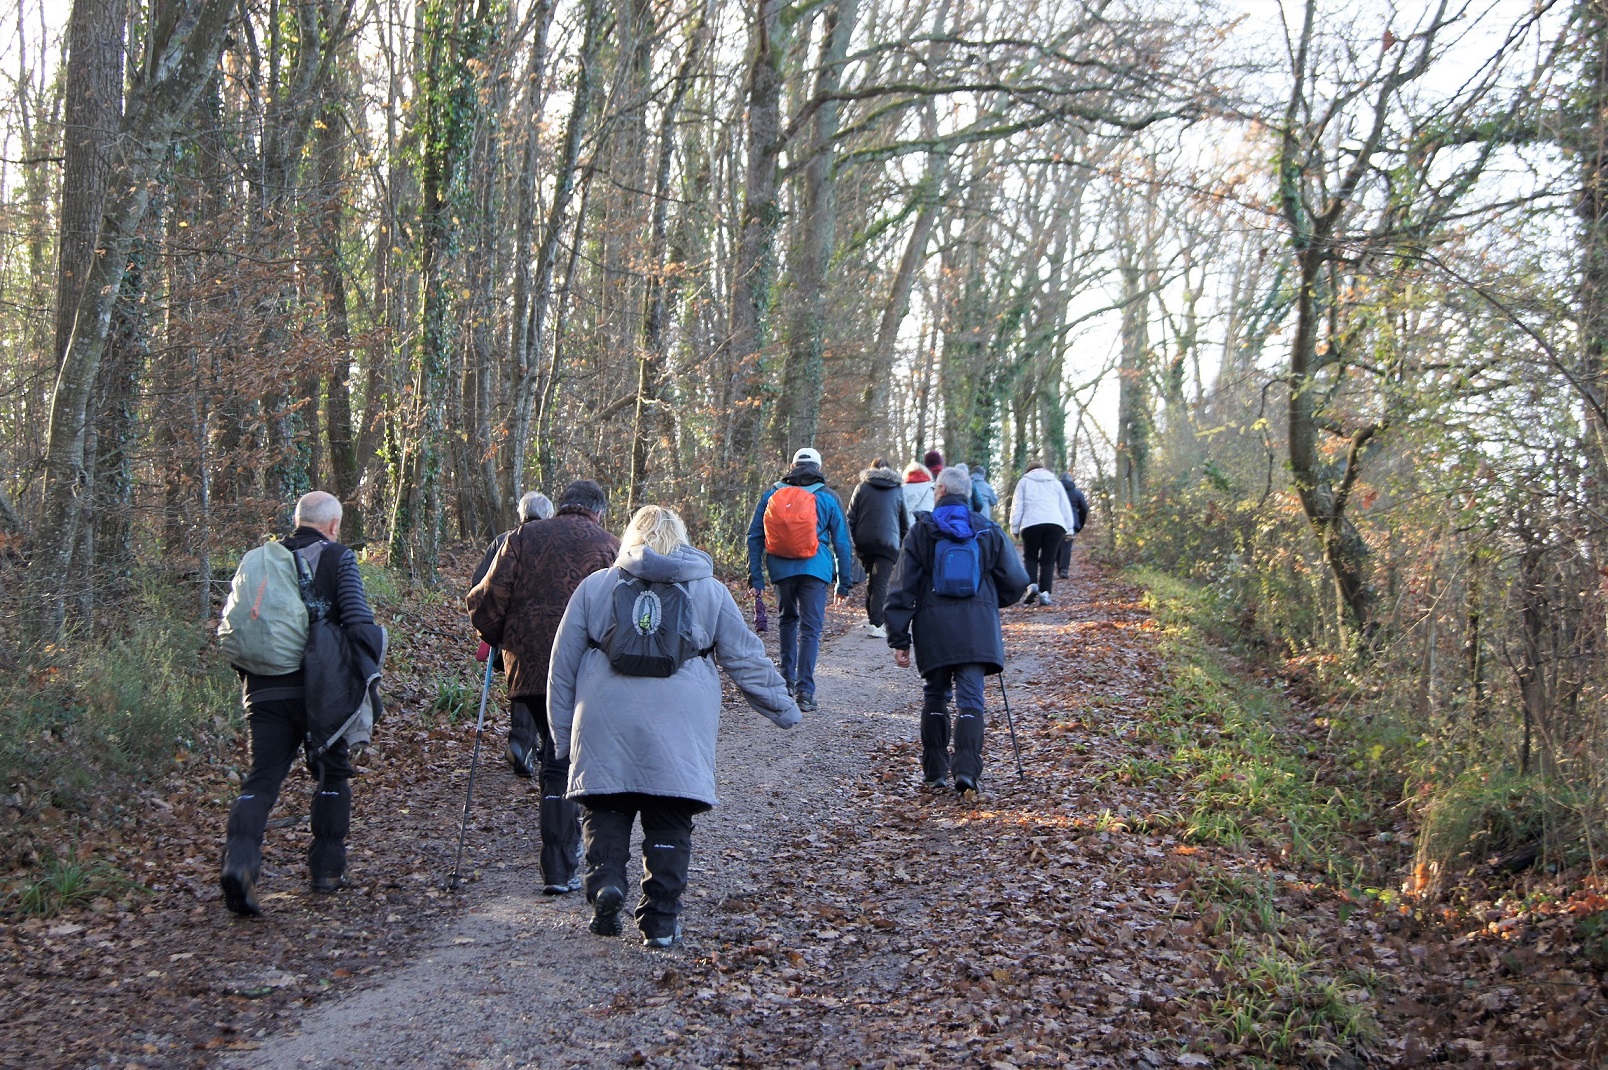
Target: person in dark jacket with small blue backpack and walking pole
(958,640)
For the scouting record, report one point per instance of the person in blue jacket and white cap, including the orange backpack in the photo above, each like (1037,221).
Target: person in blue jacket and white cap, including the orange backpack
(800,538)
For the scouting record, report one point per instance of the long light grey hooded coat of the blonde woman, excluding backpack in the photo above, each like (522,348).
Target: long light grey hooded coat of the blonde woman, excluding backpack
(647,735)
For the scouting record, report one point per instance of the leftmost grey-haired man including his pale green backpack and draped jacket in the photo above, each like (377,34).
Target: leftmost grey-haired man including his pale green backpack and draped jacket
(300,632)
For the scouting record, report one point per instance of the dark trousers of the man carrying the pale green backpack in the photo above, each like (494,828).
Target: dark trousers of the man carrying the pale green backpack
(277,731)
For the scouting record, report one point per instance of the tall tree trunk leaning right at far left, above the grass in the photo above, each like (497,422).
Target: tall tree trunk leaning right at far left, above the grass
(181,56)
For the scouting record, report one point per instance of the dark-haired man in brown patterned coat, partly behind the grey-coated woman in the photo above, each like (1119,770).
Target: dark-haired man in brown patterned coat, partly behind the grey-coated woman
(519,607)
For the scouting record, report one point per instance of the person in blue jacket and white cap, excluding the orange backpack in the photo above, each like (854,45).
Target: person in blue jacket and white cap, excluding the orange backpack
(802,583)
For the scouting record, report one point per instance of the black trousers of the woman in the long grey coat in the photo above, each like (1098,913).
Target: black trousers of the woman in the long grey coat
(667,852)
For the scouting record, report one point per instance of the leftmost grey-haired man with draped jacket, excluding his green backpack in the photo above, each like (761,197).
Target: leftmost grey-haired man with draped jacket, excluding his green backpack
(279,709)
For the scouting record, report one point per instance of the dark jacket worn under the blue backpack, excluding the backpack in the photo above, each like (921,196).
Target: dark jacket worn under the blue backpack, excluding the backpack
(953,632)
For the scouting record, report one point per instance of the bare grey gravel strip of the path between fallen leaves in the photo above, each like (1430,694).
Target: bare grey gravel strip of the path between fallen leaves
(519,981)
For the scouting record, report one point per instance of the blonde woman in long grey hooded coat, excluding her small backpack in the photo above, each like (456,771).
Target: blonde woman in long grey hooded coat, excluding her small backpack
(642,744)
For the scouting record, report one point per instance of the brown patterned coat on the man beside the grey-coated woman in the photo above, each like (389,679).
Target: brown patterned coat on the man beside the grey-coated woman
(523,598)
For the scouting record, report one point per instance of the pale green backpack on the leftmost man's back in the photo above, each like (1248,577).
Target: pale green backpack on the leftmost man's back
(265,627)
